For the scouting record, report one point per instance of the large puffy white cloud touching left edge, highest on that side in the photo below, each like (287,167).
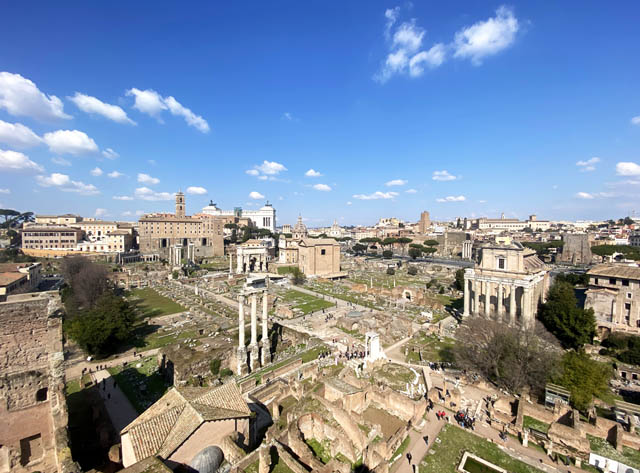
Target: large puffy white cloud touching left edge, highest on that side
(21,97)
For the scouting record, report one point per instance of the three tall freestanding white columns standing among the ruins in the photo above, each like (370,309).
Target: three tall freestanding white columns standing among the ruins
(257,351)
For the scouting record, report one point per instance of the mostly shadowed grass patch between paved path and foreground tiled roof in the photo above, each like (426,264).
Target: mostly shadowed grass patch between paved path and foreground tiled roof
(143,386)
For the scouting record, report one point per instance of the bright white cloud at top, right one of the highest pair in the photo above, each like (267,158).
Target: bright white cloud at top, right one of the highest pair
(486,38)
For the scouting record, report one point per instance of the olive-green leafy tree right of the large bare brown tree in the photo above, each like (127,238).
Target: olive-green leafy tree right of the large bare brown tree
(584,378)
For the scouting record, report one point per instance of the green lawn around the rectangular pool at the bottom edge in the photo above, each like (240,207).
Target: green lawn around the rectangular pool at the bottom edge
(454,441)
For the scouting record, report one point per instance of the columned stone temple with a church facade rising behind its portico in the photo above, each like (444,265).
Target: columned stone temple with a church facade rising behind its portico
(507,284)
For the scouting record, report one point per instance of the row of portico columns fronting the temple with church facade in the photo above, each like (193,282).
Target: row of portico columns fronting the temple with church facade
(486,289)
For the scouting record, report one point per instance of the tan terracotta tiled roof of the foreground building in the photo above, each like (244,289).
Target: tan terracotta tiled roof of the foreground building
(162,428)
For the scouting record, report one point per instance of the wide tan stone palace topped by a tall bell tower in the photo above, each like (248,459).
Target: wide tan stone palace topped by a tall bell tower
(162,233)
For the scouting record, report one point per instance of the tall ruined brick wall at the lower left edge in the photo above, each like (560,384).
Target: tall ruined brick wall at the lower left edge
(33,436)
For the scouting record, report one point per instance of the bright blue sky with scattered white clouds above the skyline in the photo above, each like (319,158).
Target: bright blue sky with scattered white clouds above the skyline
(459,108)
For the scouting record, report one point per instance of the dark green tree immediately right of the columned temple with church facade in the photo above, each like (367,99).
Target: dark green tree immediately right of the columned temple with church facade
(572,325)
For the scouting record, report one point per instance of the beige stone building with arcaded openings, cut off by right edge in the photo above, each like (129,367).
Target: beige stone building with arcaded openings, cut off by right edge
(614,296)
